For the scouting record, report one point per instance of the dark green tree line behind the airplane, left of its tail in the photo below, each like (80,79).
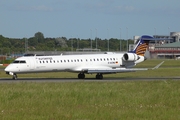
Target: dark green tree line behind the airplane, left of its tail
(38,42)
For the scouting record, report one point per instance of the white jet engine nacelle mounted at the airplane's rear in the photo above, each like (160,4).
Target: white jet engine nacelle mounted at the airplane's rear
(130,57)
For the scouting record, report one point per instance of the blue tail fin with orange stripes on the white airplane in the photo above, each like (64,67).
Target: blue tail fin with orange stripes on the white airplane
(142,45)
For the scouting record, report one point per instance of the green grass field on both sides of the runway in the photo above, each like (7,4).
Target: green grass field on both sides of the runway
(137,100)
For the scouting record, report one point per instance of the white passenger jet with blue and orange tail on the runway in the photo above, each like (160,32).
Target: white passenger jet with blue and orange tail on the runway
(82,64)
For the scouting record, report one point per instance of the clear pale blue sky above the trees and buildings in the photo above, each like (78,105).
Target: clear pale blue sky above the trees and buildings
(85,19)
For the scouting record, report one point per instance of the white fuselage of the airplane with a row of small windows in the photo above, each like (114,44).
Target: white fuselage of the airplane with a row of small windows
(72,63)
